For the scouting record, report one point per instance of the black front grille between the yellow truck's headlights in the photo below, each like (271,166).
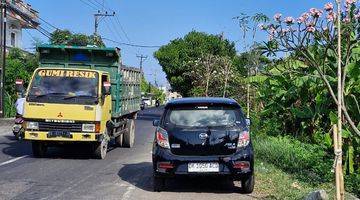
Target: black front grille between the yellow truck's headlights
(50,126)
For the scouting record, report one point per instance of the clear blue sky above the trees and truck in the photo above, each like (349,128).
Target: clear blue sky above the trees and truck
(157,22)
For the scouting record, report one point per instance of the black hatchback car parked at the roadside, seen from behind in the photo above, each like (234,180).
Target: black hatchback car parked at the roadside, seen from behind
(203,136)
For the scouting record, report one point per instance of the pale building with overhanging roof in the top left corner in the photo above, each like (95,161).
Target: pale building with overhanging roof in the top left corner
(20,15)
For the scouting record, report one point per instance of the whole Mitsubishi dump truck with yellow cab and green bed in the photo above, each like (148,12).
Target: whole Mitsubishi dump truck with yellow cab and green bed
(81,95)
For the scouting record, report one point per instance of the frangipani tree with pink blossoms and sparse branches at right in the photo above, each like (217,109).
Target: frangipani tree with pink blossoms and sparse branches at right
(312,39)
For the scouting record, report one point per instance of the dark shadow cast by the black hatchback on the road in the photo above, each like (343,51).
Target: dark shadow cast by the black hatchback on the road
(140,176)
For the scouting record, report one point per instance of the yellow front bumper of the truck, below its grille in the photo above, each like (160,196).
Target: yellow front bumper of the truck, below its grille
(71,137)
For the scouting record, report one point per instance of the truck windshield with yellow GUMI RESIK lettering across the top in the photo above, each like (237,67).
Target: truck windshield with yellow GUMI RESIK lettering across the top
(64,86)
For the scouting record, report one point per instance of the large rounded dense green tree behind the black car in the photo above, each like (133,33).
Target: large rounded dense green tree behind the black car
(177,57)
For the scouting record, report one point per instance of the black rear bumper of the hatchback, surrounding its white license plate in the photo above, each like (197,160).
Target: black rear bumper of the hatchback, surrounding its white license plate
(227,163)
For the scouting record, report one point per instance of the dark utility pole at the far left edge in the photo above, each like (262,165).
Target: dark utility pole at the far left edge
(3,54)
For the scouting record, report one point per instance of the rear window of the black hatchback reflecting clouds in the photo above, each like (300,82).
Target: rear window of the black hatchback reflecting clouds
(203,116)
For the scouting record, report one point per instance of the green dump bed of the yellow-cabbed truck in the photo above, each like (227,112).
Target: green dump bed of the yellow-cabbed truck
(125,81)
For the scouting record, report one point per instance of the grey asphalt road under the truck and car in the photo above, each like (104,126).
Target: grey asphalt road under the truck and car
(70,173)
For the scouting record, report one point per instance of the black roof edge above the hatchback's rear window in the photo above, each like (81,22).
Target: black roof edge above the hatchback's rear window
(202,100)
